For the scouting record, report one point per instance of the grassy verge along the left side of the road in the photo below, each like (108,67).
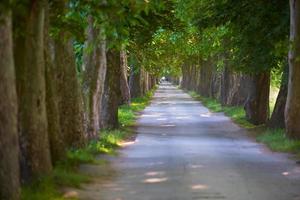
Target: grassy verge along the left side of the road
(66,174)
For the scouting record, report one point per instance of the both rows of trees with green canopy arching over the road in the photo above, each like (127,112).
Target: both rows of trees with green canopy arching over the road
(66,66)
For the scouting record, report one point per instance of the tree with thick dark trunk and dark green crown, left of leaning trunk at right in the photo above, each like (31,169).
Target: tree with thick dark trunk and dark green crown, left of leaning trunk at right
(247,55)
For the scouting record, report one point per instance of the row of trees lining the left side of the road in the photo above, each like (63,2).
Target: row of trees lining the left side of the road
(64,70)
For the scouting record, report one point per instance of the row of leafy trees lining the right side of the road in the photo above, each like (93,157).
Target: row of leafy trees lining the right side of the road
(237,50)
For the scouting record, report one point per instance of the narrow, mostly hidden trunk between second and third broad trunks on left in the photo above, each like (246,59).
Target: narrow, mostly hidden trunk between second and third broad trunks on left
(57,145)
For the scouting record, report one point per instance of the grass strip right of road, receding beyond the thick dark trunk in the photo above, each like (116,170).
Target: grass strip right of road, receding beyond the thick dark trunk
(236,113)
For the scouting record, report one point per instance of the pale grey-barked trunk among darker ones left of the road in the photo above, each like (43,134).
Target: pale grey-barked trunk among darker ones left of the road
(94,77)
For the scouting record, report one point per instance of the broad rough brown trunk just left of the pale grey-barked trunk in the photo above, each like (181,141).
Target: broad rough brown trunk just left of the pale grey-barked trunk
(70,102)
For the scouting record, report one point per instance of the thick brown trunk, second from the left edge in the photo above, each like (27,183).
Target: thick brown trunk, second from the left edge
(30,68)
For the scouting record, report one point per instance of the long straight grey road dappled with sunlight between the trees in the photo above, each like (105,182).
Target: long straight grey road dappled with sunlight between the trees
(184,152)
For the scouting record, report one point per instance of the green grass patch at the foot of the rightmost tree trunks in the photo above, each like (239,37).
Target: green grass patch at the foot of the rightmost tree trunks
(276,140)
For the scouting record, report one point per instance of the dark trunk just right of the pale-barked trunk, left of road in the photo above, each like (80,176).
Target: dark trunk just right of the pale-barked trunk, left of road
(110,101)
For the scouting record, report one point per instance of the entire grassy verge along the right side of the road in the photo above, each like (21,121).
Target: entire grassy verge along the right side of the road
(275,139)
